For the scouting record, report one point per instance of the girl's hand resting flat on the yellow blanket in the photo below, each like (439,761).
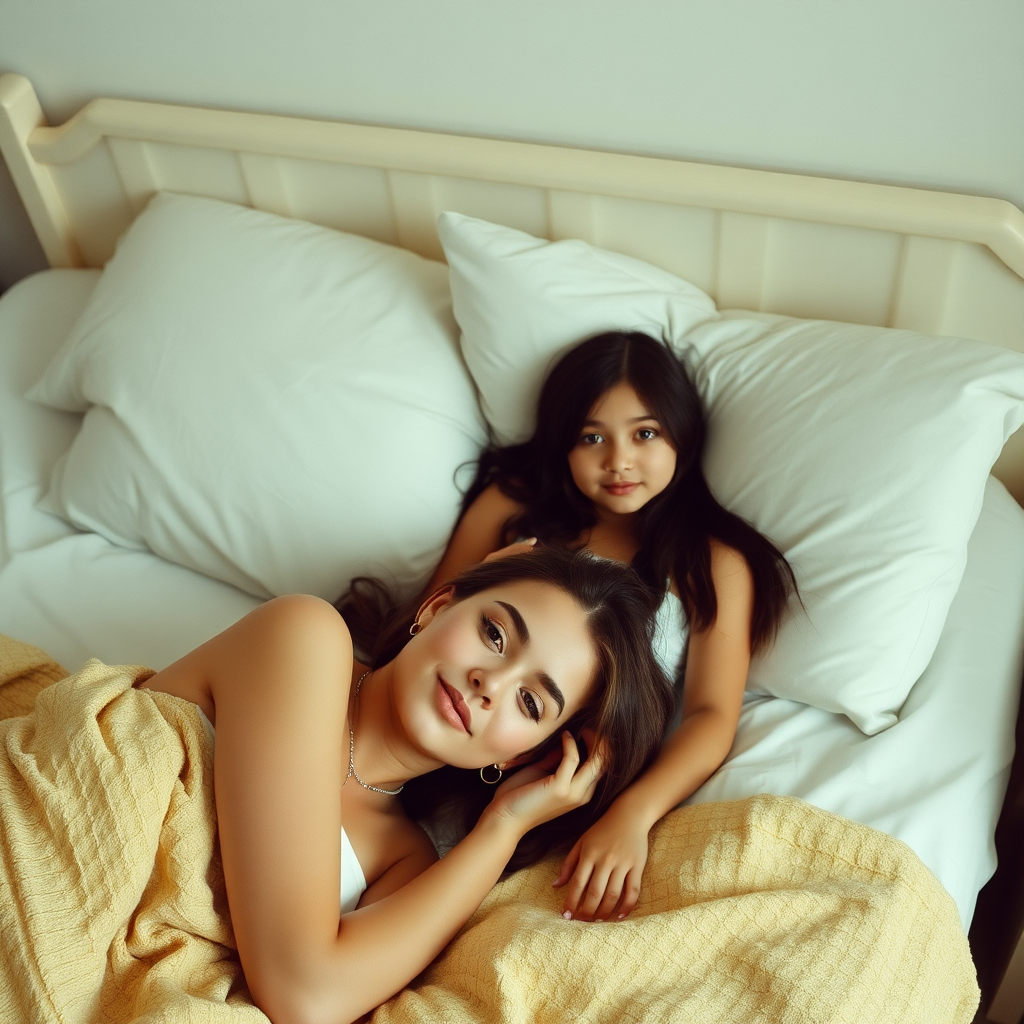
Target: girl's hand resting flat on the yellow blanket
(605,869)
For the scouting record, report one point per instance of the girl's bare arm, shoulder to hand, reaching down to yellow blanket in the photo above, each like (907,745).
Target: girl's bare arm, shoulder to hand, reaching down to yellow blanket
(604,871)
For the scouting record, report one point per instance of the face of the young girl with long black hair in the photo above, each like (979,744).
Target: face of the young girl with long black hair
(622,459)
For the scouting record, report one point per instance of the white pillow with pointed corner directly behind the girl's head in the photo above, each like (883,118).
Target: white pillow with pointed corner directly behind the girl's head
(523,303)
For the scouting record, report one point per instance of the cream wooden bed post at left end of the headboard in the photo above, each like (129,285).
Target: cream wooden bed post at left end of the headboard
(20,116)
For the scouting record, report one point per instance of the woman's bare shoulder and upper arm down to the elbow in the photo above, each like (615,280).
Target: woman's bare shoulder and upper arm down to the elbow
(278,685)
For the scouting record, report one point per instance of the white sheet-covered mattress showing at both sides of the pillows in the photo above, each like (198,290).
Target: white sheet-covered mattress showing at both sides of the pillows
(935,781)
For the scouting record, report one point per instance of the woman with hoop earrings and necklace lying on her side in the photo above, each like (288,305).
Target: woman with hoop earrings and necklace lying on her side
(498,671)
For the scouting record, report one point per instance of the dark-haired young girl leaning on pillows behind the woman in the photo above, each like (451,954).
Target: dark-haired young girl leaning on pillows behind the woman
(614,466)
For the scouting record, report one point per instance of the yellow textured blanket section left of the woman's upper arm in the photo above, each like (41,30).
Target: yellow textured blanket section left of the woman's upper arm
(112,901)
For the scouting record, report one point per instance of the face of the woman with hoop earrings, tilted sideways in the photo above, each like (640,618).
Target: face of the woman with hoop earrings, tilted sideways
(492,676)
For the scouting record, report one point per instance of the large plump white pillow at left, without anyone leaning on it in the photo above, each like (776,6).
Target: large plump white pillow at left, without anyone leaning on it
(274,404)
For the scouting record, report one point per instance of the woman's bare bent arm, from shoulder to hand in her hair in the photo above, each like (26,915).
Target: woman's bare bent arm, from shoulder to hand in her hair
(277,684)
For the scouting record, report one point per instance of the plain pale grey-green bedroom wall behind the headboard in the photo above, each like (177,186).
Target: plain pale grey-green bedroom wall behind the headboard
(921,93)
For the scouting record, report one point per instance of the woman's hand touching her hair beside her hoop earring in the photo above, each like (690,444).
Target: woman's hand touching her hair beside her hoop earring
(535,794)
